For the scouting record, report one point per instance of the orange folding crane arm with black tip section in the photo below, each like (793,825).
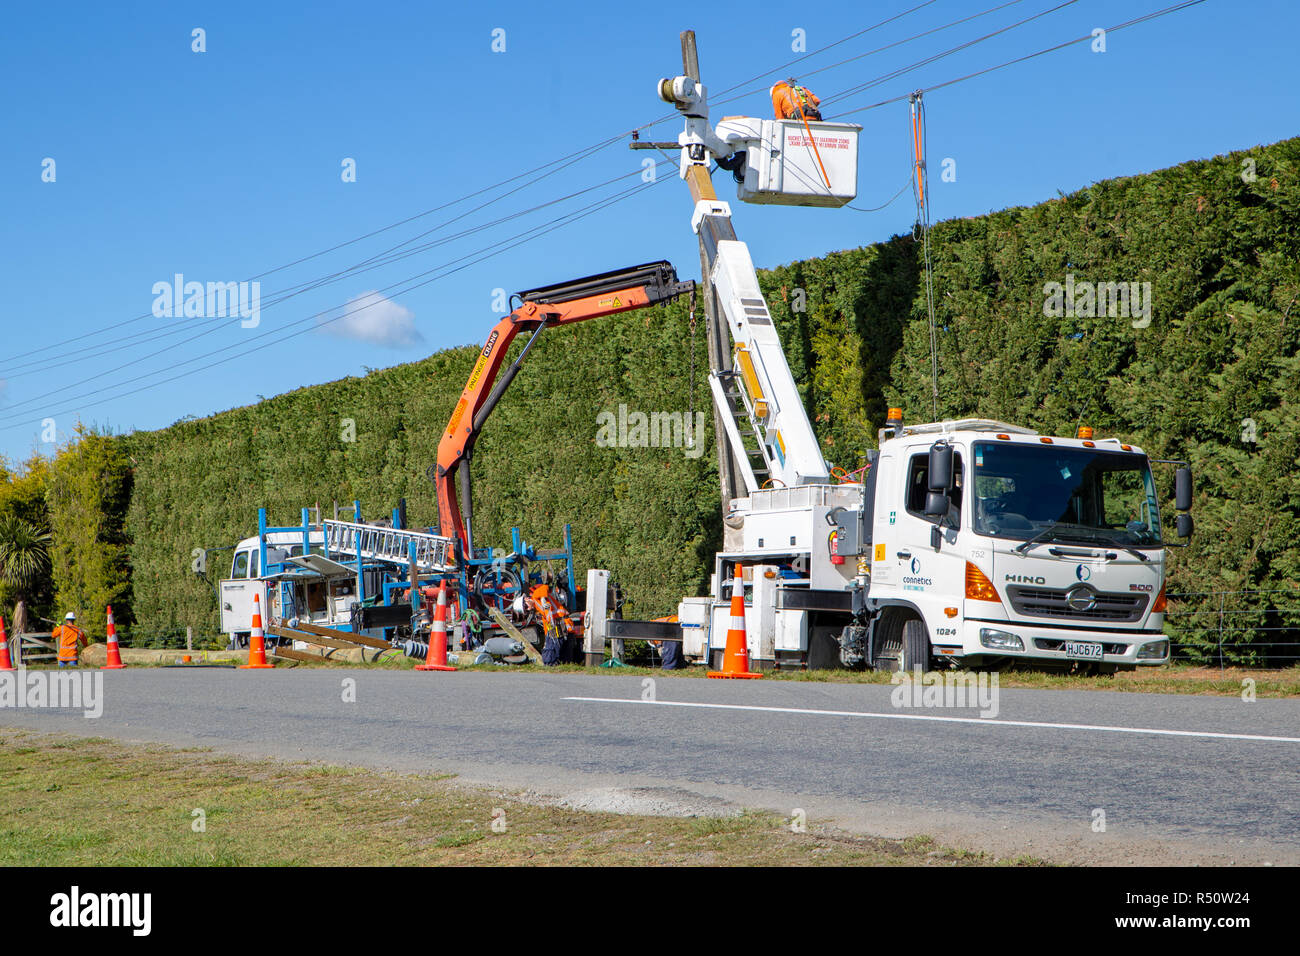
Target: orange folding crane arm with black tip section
(564,304)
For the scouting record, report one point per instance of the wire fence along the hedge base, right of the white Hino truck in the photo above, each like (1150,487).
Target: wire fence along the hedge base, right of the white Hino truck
(1236,629)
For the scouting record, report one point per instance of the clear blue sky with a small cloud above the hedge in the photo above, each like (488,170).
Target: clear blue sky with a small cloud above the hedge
(226,165)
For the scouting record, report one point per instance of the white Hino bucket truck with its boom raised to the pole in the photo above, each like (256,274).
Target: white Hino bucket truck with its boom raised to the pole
(965,542)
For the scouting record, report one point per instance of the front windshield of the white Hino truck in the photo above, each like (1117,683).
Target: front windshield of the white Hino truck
(1082,495)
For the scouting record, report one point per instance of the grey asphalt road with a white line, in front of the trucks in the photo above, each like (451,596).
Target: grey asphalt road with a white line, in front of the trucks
(1220,782)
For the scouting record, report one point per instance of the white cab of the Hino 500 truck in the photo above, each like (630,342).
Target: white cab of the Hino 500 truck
(993,543)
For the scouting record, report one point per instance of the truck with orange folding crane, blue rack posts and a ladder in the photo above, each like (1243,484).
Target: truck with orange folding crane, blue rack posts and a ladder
(367,579)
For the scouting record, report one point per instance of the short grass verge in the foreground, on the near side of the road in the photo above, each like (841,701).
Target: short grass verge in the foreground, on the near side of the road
(77,802)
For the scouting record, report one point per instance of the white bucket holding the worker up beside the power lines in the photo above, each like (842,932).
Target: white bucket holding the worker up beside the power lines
(787,167)
